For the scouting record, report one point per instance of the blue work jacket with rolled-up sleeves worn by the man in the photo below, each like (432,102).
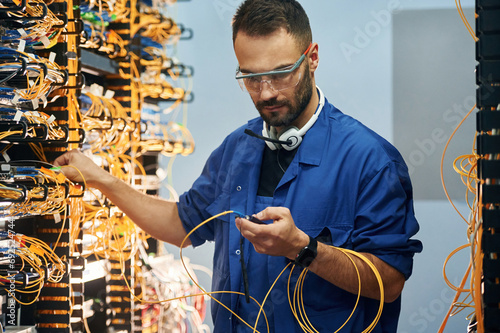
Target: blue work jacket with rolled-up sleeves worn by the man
(346,184)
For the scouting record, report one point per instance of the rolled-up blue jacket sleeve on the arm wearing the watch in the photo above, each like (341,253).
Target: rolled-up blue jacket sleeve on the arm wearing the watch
(385,220)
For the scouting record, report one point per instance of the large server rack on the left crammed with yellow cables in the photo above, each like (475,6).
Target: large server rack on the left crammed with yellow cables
(90,53)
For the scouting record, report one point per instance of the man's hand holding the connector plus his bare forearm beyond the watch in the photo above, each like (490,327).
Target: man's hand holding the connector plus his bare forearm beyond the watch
(283,238)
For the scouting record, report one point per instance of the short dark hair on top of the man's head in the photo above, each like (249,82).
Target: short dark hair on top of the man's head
(264,17)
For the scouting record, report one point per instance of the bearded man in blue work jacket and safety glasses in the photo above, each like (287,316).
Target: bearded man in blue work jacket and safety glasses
(320,179)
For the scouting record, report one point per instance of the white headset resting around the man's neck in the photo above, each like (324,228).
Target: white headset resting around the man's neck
(292,136)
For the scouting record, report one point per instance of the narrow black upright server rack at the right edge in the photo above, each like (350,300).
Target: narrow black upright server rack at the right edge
(488,149)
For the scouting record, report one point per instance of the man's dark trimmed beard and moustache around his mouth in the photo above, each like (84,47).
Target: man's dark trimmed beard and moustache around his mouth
(302,97)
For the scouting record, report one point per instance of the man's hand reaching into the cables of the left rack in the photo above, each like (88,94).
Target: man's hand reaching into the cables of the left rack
(75,164)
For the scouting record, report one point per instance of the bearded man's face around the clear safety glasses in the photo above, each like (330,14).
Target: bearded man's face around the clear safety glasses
(262,54)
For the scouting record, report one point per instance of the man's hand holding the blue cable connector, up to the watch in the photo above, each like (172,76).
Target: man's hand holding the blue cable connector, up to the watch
(281,238)
